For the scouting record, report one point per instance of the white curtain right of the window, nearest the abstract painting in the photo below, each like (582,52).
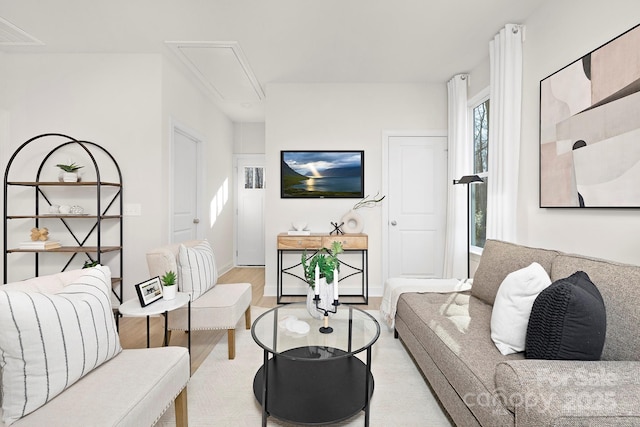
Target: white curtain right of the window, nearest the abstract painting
(505,52)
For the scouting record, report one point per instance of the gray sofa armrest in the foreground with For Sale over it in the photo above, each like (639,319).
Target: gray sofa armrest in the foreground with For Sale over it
(561,392)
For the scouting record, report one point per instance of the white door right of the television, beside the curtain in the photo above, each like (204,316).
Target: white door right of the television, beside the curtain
(417,176)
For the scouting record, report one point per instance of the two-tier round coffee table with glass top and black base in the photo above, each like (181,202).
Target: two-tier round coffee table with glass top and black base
(313,377)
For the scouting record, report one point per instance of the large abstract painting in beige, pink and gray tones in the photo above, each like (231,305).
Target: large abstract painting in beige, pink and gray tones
(590,128)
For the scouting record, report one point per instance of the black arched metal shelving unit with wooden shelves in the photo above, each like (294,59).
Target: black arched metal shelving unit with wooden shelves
(88,241)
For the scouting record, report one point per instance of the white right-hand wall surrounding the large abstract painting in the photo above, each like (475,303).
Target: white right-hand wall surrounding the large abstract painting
(557,34)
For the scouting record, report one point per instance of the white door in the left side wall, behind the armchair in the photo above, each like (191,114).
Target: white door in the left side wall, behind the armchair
(185,188)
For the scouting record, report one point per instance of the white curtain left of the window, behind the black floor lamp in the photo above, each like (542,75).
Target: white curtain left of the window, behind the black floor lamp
(460,163)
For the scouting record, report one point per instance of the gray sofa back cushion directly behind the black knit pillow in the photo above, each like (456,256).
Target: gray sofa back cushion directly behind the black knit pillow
(618,285)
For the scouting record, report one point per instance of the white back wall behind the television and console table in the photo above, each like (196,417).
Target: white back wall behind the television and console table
(340,117)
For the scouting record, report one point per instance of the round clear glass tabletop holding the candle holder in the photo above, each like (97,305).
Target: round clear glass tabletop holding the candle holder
(288,327)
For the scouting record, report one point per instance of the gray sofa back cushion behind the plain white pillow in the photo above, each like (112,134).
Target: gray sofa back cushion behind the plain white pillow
(501,258)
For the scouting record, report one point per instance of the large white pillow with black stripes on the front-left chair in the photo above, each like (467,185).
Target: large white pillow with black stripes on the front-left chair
(48,341)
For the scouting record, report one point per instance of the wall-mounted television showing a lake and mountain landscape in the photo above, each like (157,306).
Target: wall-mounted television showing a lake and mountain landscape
(322,174)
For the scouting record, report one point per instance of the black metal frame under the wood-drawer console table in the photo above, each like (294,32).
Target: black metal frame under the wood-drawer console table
(364,271)
